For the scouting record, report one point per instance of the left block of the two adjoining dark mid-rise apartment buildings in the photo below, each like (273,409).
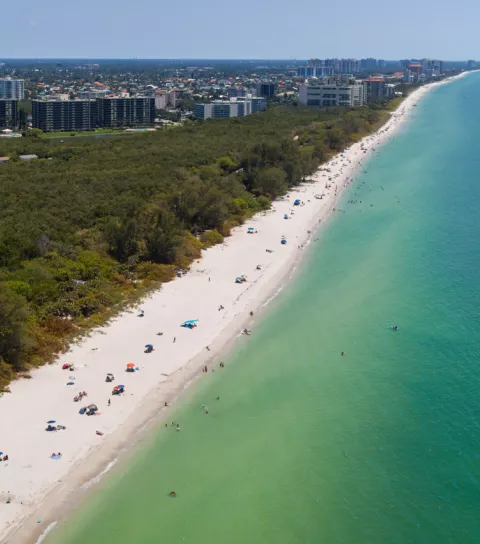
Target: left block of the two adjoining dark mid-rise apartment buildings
(64,116)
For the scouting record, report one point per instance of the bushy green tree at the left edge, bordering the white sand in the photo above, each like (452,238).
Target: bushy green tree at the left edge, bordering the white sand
(14,339)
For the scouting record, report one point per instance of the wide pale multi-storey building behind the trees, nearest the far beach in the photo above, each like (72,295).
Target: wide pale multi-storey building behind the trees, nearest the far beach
(331,92)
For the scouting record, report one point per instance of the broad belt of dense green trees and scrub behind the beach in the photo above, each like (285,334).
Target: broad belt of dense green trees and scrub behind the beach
(91,224)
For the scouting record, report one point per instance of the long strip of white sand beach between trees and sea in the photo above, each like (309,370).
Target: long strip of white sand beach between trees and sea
(32,477)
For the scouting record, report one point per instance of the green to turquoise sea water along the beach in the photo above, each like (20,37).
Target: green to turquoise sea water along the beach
(305,445)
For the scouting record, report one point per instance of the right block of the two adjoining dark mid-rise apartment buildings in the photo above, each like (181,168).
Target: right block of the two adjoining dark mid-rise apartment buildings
(124,112)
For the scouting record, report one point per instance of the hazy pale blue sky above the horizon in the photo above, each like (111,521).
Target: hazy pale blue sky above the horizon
(248,29)
